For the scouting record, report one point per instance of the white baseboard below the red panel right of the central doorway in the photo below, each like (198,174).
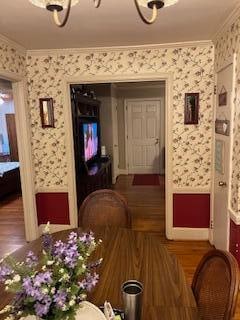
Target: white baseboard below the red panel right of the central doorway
(190,233)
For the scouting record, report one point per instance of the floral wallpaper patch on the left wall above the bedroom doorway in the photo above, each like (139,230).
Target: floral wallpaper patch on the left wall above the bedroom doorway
(11,59)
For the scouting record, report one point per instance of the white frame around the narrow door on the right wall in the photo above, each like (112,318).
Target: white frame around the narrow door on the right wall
(230,60)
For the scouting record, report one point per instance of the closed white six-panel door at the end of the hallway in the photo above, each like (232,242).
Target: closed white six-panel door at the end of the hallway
(143,136)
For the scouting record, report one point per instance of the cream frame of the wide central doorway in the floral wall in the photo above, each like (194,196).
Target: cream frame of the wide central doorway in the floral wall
(94,79)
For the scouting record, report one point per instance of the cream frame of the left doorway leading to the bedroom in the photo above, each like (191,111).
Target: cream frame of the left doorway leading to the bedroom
(25,152)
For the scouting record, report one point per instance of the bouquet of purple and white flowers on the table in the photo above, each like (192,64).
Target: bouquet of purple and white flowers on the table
(53,287)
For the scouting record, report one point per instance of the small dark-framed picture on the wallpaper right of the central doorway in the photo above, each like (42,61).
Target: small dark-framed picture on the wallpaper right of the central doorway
(191,108)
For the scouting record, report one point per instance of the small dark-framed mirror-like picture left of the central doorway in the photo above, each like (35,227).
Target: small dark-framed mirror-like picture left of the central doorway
(47,112)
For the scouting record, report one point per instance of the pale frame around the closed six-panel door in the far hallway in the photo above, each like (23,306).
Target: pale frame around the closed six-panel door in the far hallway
(126,126)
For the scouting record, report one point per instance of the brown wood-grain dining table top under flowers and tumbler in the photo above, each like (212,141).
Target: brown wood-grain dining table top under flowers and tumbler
(129,255)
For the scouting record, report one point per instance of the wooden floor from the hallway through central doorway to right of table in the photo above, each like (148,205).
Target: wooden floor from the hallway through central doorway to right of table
(147,205)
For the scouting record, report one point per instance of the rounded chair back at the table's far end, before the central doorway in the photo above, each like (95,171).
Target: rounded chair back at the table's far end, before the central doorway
(104,208)
